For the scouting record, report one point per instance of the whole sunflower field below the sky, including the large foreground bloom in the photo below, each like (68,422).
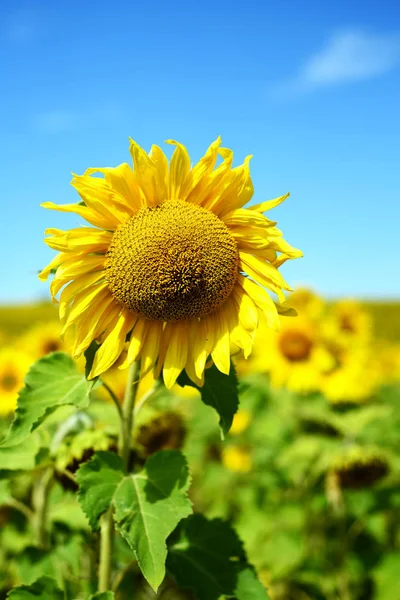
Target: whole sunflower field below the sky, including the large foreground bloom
(184,426)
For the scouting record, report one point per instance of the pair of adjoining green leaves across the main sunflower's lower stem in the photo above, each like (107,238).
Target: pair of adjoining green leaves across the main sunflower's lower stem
(148,505)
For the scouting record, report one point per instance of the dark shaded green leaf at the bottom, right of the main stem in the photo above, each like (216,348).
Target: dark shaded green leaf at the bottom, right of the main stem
(208,557)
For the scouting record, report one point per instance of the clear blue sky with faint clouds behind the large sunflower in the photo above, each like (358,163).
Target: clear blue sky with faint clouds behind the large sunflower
(311,89)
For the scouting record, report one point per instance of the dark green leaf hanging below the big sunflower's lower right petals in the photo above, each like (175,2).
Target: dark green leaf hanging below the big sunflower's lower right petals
(220,392)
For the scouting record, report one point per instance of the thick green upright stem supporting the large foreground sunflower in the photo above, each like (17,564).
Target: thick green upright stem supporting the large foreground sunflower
(124,449)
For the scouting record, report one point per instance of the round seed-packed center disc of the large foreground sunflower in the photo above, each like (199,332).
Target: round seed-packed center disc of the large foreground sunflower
(173,261)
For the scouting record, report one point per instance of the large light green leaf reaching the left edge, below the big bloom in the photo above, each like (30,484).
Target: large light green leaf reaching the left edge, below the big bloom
(52,381)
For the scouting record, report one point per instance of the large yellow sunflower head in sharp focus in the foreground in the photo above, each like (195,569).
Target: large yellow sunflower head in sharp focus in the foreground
(173,263)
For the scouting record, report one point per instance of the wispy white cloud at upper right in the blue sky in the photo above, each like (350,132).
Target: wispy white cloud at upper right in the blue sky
(349,56)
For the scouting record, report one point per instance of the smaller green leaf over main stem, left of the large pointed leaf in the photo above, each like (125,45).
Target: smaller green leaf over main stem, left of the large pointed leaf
(98,479)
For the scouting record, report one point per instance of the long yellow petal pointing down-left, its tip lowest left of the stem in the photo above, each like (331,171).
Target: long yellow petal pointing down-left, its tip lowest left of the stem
(112,345)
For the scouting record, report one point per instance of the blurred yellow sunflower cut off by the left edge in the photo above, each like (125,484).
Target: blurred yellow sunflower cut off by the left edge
(14,365)
